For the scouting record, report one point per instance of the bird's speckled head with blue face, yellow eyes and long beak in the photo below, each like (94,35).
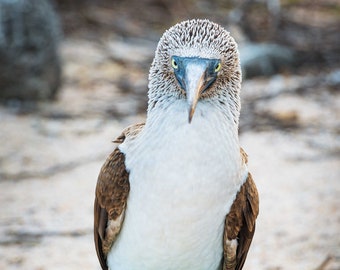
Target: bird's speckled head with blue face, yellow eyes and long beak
(196,60)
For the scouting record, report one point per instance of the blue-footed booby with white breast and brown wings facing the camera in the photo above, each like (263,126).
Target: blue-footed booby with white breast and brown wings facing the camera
(176,192)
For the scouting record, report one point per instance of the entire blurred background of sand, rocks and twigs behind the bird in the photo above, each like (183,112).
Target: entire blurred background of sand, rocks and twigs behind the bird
(74,73)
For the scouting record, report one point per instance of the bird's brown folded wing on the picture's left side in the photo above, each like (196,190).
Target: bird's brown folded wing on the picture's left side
(112,191)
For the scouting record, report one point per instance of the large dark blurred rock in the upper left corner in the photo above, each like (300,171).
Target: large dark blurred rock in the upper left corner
(29,61)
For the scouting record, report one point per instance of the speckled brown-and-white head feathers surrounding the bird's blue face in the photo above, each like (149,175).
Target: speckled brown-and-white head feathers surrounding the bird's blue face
(197,38)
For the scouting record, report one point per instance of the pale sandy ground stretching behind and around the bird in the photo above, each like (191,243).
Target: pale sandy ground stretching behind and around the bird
(50,159)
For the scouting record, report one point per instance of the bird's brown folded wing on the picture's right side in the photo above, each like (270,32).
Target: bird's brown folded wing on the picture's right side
(240,224)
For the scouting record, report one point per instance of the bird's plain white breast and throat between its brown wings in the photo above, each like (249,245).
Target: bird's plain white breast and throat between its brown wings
(183,179)
